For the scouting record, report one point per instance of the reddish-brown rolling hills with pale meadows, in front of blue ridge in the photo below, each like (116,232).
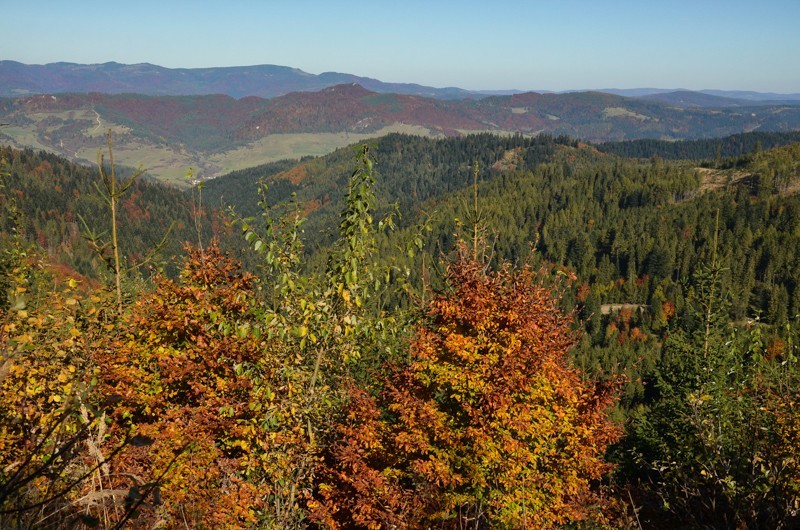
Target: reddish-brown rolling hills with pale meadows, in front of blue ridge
(218,134)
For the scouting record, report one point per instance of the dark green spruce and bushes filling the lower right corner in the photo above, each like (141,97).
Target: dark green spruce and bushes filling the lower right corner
(707,441)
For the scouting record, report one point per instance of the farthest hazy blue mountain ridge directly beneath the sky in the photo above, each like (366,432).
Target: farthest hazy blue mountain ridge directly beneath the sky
(268,81)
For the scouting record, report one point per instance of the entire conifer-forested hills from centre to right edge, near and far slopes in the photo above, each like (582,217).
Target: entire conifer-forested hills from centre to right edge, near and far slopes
(634,231)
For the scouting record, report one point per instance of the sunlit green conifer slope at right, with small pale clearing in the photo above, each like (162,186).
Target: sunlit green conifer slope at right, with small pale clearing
(637,235)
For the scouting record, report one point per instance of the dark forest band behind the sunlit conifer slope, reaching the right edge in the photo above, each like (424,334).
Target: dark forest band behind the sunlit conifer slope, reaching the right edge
(416,172)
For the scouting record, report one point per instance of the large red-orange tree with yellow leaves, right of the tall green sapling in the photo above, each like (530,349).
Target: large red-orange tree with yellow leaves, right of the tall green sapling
(487,423)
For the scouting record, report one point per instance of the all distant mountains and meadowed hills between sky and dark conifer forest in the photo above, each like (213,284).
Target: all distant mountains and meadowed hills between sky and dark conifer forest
(222,119)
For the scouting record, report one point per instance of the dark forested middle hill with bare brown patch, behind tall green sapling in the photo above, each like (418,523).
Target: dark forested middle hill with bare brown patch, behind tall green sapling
(412,170)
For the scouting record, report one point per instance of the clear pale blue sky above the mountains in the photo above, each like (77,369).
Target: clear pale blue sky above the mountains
(494,44)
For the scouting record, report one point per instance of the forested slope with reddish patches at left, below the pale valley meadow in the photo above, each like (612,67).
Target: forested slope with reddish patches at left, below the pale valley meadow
(47,198)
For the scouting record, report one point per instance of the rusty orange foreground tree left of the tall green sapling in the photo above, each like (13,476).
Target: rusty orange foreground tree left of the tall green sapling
(173,372)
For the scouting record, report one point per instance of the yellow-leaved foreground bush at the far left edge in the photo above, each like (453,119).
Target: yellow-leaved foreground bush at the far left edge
(46,406)
